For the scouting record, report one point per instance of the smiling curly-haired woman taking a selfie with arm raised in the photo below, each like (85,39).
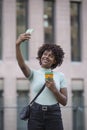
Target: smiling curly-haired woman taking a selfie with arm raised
(45,112)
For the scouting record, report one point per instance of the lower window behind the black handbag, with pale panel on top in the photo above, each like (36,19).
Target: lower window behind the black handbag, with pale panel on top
(22,100)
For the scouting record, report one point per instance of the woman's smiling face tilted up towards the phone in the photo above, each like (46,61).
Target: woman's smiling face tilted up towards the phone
(47,59)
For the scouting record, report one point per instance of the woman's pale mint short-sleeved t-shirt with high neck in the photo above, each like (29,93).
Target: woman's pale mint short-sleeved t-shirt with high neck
(37,79)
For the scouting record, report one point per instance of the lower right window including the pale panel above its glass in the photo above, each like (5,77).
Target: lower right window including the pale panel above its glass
(78,104)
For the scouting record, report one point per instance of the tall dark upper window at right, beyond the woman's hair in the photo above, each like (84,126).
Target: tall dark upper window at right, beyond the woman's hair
(75,31)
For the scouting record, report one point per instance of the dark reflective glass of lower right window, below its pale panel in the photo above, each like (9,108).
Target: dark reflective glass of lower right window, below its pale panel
(78,110)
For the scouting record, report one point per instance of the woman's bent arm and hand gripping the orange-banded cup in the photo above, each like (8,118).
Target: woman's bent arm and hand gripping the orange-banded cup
(61,95)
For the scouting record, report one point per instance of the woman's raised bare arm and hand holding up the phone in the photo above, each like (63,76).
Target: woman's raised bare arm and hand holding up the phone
(25,69)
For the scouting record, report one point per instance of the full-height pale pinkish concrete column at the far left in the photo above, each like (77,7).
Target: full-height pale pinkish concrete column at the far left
(9,36)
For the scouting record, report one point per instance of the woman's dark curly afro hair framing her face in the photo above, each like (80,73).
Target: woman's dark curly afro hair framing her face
(56,50)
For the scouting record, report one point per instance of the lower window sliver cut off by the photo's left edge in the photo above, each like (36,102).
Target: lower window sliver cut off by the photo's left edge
(1,106)
